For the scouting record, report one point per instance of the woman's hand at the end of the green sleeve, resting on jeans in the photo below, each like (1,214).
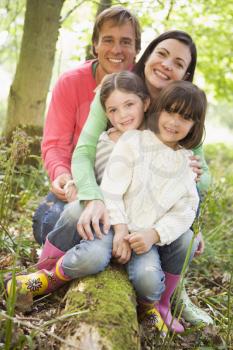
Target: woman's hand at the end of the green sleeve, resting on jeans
(94,213)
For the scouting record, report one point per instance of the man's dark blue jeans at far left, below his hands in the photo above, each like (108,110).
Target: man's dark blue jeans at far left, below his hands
(46,216)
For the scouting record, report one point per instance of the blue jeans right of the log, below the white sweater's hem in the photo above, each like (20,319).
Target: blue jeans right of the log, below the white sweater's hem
(146,271)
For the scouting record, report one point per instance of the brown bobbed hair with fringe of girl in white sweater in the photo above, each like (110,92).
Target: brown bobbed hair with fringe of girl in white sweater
(186,99)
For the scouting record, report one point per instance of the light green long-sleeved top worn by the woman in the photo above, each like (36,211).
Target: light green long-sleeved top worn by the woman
(83,158)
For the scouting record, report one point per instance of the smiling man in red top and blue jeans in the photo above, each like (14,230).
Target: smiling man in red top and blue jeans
(116,40)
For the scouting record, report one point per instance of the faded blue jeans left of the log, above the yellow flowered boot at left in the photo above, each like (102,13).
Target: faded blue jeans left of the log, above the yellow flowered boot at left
(81,257)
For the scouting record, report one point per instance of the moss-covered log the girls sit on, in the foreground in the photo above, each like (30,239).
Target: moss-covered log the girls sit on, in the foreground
(109,320)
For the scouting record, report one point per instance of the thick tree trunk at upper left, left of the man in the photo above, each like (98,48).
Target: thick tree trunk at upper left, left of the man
(27,96)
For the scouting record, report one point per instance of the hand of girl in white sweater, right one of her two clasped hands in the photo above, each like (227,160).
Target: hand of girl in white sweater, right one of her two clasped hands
(141,242)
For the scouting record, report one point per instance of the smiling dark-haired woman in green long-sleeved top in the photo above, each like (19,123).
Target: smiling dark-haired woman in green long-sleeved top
(171,56)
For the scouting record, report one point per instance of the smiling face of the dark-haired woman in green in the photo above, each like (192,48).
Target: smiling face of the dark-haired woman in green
(169,61)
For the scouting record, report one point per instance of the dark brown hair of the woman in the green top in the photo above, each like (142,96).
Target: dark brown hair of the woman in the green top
(179,35)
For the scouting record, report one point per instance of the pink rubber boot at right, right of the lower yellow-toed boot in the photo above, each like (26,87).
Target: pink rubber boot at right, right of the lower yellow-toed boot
(171,281)
